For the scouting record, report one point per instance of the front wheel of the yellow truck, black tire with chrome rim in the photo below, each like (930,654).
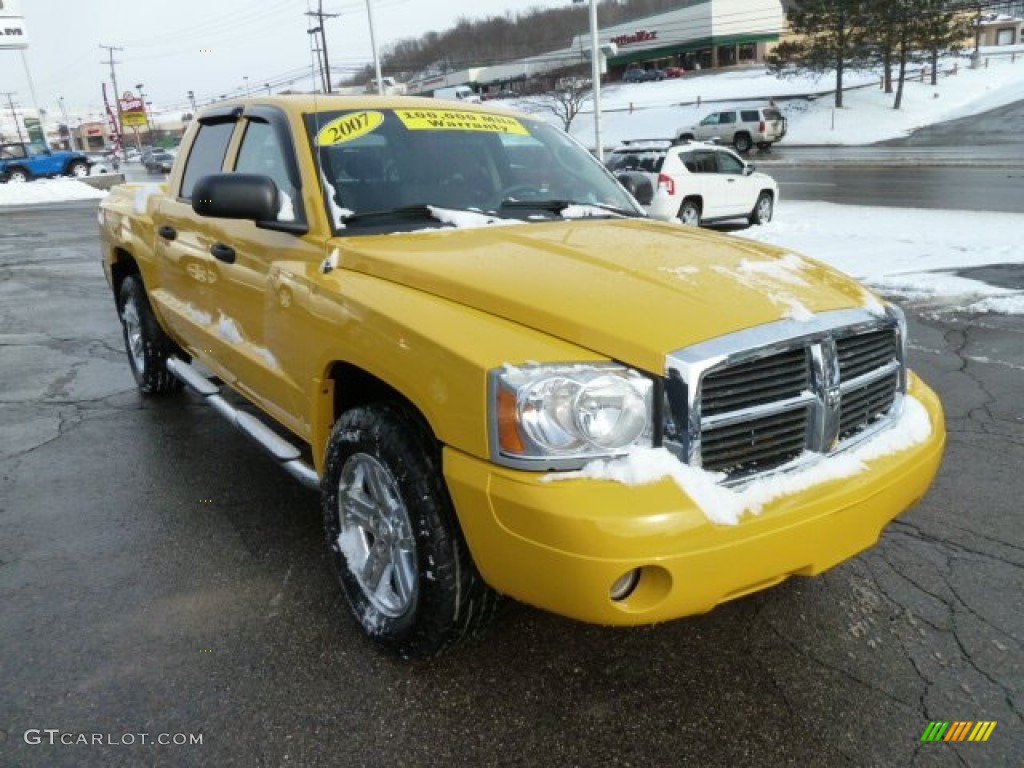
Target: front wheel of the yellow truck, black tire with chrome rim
(394,536)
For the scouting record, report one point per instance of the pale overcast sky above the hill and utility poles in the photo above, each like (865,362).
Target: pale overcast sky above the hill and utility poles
(174,47)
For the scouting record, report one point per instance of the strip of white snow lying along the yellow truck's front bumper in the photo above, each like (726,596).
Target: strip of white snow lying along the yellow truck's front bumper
(727,506)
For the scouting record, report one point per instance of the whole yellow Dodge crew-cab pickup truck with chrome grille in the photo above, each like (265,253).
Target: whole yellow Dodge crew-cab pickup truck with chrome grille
(501,377)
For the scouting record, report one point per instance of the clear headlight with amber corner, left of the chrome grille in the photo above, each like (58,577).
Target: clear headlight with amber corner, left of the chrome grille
(567,413)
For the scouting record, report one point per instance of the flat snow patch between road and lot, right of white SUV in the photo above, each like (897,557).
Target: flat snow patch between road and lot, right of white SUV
(906,252)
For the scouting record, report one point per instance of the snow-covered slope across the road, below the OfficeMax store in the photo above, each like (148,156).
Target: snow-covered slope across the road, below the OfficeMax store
(660,110)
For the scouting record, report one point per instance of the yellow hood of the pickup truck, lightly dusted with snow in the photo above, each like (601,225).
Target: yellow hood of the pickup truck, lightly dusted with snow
(631,290)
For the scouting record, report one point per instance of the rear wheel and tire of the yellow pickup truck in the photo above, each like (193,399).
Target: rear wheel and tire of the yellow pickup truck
(147,345)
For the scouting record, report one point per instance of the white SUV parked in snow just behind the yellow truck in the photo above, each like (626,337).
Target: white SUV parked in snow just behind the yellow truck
(696,183)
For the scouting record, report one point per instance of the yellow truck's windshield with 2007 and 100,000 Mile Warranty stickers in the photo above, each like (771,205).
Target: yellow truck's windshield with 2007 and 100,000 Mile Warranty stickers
(395,160)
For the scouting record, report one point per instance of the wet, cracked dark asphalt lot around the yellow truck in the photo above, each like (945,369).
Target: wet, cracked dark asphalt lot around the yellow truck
(159,577)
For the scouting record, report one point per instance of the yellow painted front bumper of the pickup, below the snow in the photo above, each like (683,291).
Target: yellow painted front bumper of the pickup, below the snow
(561,546)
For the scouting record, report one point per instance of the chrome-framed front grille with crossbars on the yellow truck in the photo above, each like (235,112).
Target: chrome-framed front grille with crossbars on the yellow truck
(755,401)
